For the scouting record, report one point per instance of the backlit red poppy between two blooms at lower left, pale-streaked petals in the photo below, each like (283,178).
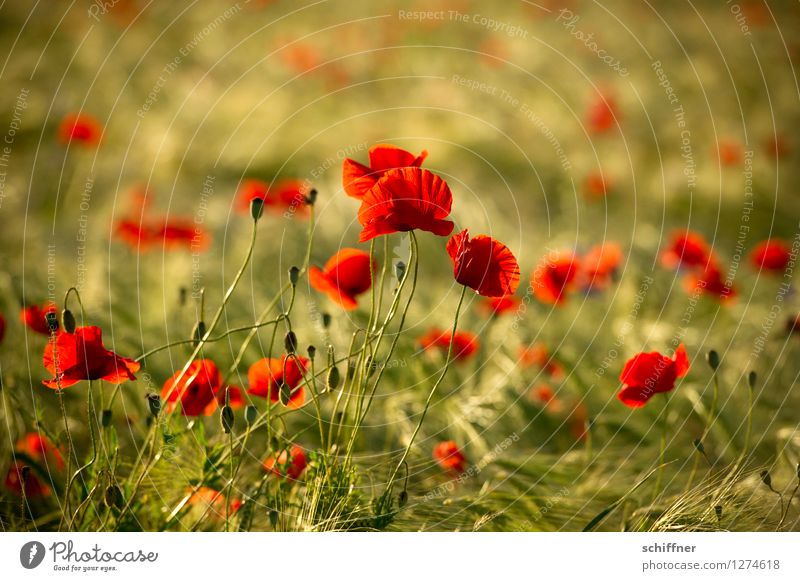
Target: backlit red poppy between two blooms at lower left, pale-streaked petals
(197,390)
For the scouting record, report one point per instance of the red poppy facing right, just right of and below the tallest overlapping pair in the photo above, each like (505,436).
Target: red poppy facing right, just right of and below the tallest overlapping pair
(483,264)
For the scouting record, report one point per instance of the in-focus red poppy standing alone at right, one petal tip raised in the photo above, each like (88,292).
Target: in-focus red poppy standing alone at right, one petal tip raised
(647,374)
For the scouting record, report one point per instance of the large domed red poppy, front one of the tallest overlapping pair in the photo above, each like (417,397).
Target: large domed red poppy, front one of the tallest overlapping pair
(406,199)
